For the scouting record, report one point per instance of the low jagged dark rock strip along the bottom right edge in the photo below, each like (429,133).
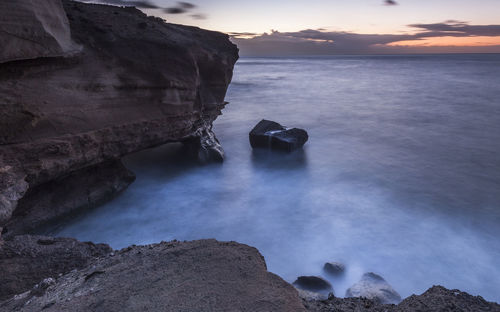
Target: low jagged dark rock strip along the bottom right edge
(435,299)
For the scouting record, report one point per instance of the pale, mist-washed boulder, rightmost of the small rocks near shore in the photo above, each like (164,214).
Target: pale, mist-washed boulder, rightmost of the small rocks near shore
(373,286)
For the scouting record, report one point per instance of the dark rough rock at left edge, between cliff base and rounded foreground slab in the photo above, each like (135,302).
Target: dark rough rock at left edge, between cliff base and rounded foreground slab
(27,260)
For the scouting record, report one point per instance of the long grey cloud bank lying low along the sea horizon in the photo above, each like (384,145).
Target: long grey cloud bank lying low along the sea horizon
(319,41)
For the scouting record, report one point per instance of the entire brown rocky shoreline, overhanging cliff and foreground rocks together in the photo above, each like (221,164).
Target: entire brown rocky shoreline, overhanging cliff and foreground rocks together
(83,85)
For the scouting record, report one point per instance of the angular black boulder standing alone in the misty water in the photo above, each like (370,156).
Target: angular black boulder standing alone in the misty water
(270,134)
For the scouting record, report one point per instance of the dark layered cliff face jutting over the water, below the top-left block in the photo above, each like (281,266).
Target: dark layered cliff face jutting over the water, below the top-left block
(136,83)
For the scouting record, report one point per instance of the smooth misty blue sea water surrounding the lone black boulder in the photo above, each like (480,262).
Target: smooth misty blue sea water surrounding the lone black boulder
(401,175)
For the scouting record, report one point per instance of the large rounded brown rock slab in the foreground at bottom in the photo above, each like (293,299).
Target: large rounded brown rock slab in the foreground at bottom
(202,275)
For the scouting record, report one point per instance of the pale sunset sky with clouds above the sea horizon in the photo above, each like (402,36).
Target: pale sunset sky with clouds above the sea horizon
(280,27)
